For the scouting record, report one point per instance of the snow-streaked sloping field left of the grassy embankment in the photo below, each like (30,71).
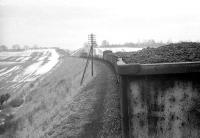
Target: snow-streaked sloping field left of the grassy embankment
(18,68)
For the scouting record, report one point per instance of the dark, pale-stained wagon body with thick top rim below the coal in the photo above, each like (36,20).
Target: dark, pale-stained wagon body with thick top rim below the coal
(160,100)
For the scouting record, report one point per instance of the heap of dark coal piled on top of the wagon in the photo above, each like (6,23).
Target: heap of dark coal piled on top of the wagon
(179,52)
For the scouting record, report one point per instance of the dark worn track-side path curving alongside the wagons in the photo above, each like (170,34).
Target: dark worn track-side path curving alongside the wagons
(104,120)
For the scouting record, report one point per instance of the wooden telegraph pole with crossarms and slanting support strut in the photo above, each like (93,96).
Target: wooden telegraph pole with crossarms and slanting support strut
(92,43)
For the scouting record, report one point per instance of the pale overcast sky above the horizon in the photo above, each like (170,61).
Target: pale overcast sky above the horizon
(67,23)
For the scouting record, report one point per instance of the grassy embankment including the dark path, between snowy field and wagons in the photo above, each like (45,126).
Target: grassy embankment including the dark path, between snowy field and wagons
(57,106)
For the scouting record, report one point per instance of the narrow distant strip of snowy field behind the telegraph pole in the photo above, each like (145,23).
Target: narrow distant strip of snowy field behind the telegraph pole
(99,51)
